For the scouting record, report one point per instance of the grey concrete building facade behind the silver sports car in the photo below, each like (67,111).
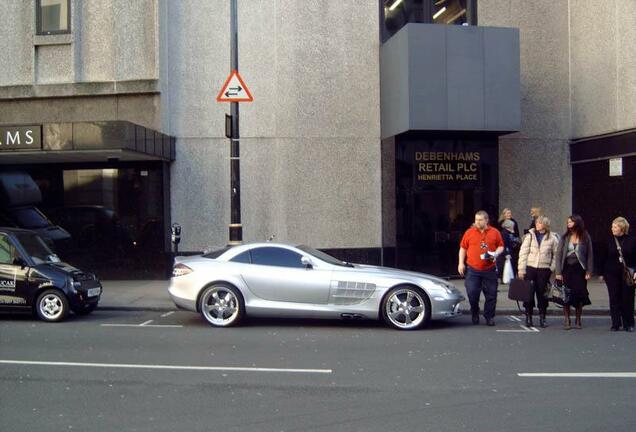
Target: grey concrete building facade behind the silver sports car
(321,157)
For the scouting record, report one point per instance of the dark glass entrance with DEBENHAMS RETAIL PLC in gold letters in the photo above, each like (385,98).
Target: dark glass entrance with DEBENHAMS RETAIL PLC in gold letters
(440,182)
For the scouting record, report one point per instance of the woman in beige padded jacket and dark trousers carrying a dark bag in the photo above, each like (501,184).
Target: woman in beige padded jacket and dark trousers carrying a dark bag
(537,261)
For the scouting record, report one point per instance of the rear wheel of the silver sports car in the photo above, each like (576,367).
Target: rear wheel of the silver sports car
(222,305)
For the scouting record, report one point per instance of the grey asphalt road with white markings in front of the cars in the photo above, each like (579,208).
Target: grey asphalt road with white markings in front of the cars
(152,371)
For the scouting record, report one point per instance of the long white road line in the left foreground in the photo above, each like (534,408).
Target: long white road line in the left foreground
(170,367)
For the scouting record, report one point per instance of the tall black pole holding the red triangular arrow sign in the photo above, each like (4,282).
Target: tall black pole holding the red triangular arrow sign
(236,229)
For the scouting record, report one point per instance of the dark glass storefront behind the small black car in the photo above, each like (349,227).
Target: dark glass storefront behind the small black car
(114,214)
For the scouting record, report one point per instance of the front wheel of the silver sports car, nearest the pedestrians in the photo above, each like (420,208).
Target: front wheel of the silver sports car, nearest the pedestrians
(406,308)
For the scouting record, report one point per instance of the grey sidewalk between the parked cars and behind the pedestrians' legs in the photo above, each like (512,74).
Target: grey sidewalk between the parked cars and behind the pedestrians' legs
(153,295)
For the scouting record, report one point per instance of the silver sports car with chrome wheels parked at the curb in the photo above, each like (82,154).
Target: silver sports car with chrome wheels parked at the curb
(281,280)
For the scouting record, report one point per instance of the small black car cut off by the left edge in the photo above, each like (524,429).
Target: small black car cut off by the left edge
(33,278)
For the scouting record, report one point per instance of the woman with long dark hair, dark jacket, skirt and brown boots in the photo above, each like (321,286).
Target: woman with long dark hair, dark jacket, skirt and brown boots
(574,267)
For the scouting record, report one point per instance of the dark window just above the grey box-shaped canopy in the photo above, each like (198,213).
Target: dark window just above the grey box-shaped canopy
(397,13)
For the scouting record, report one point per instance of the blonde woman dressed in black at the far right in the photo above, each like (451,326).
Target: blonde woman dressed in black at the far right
(621,296)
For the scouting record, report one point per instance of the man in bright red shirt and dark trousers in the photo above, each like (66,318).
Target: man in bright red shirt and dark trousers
(478,250)
